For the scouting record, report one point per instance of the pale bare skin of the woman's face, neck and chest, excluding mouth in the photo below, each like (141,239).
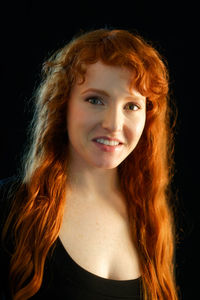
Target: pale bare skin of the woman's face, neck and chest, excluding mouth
(95,229)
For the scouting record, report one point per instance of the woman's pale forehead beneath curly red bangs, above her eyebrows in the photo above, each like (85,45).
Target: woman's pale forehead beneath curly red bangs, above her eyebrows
(111,78)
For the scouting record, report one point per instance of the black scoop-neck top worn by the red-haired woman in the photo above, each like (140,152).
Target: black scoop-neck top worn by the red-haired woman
(63,278)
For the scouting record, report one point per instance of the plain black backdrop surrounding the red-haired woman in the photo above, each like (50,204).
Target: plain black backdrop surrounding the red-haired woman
(31,31)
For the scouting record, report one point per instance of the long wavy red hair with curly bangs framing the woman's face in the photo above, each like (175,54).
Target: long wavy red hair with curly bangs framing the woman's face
(145,175)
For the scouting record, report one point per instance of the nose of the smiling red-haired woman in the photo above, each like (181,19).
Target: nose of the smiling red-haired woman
(113,120)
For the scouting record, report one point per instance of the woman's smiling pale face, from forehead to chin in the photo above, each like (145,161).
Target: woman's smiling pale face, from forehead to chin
(104,107)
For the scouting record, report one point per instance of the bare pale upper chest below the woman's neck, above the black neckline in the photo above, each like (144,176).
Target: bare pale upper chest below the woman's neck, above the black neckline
(98,238)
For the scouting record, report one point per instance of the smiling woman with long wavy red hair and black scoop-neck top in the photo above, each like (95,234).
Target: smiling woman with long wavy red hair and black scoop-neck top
(93,203)
